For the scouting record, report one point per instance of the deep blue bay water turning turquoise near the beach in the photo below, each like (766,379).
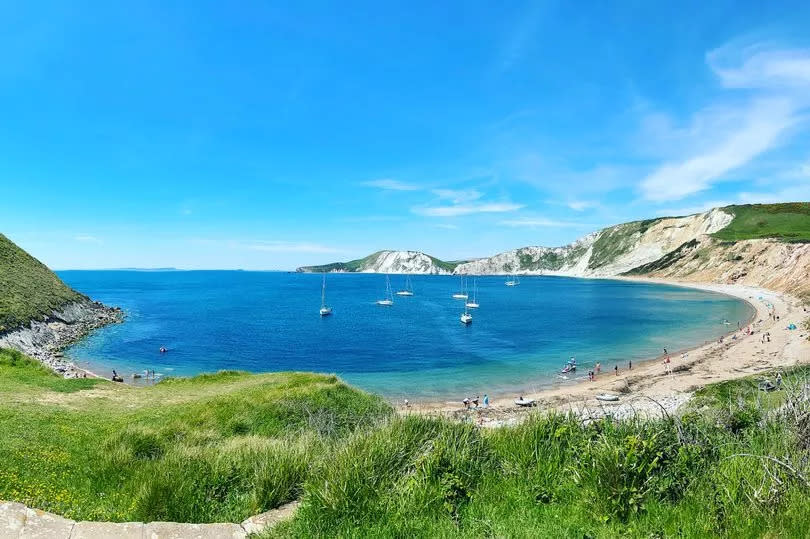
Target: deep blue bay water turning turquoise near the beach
(268,321)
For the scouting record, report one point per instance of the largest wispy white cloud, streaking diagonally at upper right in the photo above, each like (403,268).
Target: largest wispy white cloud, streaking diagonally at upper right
(732,132)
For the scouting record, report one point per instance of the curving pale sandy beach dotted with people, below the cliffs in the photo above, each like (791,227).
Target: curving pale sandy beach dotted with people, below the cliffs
(647,389)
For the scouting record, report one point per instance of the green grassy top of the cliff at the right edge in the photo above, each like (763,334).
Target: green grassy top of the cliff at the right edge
(787,222)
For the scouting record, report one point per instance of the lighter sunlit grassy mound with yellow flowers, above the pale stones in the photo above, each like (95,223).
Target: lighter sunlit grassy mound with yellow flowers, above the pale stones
(211,448)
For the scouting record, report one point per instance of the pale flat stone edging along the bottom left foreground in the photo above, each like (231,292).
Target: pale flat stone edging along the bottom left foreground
(20,522)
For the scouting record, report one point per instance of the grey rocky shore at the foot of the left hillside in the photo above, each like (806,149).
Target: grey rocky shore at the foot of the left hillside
(45,339)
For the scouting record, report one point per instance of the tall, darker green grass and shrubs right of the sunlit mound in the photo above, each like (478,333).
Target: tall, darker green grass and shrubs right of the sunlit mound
(555,477)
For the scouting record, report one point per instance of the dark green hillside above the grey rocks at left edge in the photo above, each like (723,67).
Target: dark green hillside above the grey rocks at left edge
(29,289)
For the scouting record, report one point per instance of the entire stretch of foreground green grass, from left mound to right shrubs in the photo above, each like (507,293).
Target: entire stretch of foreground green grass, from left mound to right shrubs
(221,447)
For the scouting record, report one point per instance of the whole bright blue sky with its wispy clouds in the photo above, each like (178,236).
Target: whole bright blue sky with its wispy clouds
(266,135)
